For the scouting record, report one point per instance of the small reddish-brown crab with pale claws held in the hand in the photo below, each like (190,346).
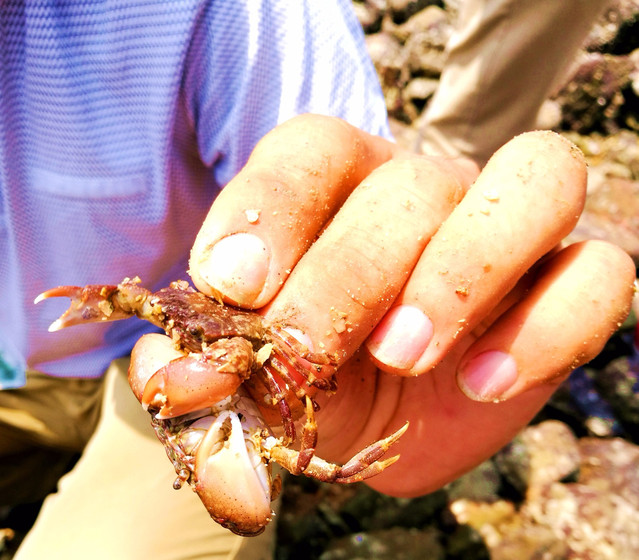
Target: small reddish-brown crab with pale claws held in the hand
(225,405)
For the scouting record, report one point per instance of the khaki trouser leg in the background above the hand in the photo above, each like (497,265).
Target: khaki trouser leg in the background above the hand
(503,61)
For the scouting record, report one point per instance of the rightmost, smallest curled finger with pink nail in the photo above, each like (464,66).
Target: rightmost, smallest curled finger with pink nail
(581,297)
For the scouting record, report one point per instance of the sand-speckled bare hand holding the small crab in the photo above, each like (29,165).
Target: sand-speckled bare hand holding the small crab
(448,305)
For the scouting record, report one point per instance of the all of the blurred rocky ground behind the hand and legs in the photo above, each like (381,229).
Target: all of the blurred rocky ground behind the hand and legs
(568,485)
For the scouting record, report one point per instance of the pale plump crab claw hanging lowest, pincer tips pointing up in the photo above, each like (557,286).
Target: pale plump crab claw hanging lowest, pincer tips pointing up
(231,479)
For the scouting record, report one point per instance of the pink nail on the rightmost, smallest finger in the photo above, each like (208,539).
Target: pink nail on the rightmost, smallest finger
(487,376)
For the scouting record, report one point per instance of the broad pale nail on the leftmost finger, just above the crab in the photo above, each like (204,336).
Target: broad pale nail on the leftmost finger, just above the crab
(237,266)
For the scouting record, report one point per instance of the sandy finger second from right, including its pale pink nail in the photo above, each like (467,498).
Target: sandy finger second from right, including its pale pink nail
(527,198)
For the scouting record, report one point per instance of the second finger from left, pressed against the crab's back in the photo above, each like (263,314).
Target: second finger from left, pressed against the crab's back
(347,280)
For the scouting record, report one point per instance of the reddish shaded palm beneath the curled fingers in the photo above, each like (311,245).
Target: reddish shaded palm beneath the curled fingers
(448,435)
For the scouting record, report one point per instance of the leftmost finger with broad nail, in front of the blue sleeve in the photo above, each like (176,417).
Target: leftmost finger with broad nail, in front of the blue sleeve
(268,215)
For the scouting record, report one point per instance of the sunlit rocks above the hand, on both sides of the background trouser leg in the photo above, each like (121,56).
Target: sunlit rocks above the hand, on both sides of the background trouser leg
(596,105)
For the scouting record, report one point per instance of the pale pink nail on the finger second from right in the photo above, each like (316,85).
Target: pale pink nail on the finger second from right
(401,337)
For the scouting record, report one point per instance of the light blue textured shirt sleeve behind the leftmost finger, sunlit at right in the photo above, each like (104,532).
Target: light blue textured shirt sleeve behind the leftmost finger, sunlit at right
(254,64)
